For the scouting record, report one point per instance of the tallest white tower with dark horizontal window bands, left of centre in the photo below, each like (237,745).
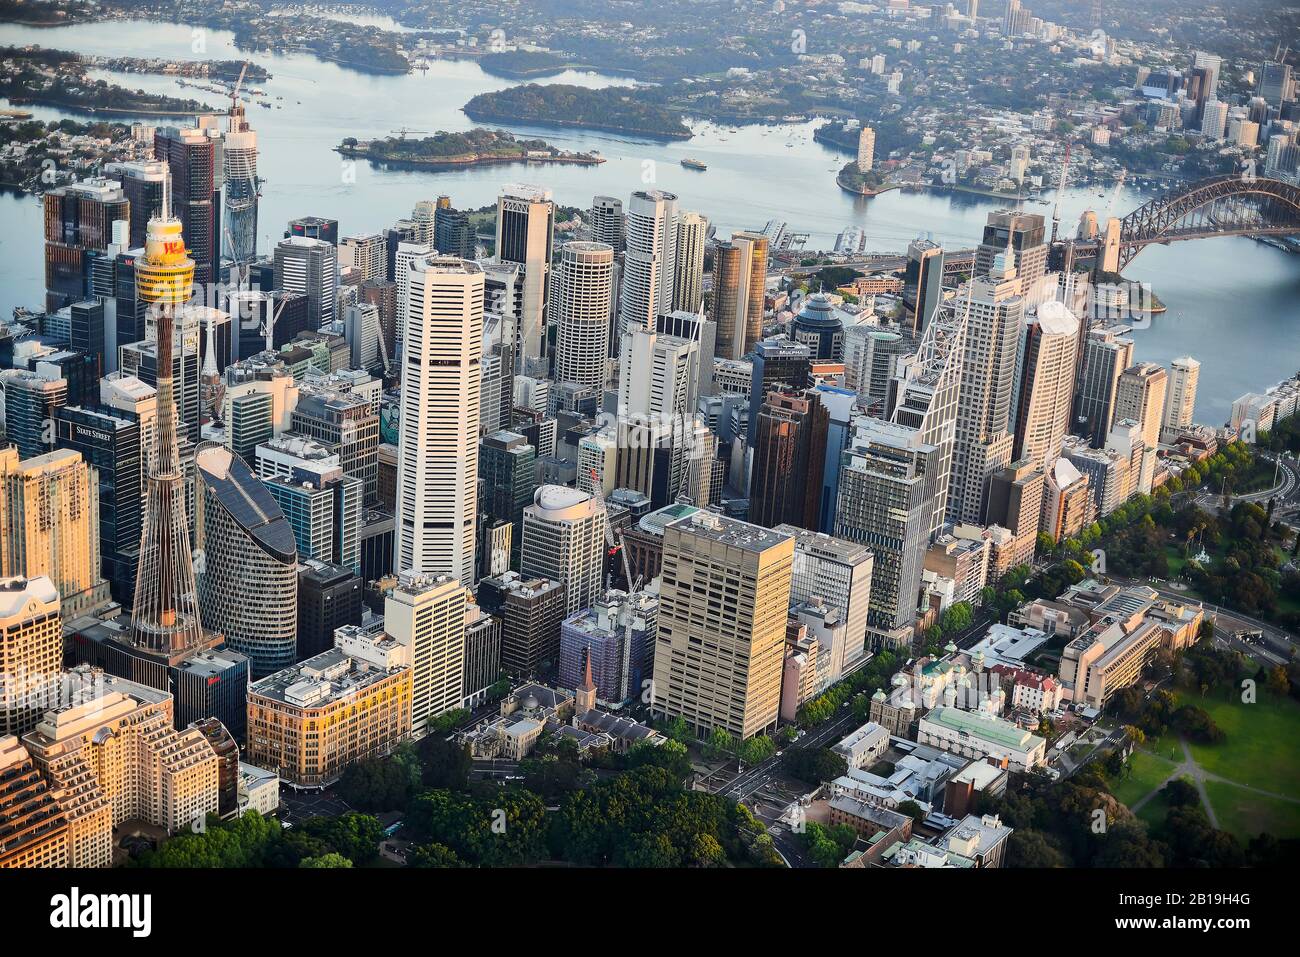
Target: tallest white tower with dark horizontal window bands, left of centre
(439,440)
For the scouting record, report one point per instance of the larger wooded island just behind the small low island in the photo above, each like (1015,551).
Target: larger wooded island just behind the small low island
(614,110)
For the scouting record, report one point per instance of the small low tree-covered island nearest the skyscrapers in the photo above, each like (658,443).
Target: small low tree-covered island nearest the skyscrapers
(456,150)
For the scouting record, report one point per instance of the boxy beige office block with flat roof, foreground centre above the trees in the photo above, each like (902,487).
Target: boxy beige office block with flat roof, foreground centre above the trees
(726,591)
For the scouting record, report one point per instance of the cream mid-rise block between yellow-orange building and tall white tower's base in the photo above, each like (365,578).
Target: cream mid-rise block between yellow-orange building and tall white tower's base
(427,616)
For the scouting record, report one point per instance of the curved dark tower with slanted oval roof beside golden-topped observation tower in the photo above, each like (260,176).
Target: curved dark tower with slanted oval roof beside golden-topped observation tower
(249,581)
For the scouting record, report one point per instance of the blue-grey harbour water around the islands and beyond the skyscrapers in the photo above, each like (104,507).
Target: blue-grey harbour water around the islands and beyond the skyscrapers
(1232,302)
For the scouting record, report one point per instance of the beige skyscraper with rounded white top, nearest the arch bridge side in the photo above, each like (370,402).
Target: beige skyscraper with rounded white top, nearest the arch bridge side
(1047,384)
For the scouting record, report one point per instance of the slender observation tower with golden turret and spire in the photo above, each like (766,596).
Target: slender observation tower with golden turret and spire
(166,613)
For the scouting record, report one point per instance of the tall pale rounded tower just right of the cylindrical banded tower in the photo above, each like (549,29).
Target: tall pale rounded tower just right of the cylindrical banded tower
(651,259)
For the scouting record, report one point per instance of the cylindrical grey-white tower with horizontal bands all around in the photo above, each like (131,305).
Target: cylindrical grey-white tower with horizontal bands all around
(582,296)
